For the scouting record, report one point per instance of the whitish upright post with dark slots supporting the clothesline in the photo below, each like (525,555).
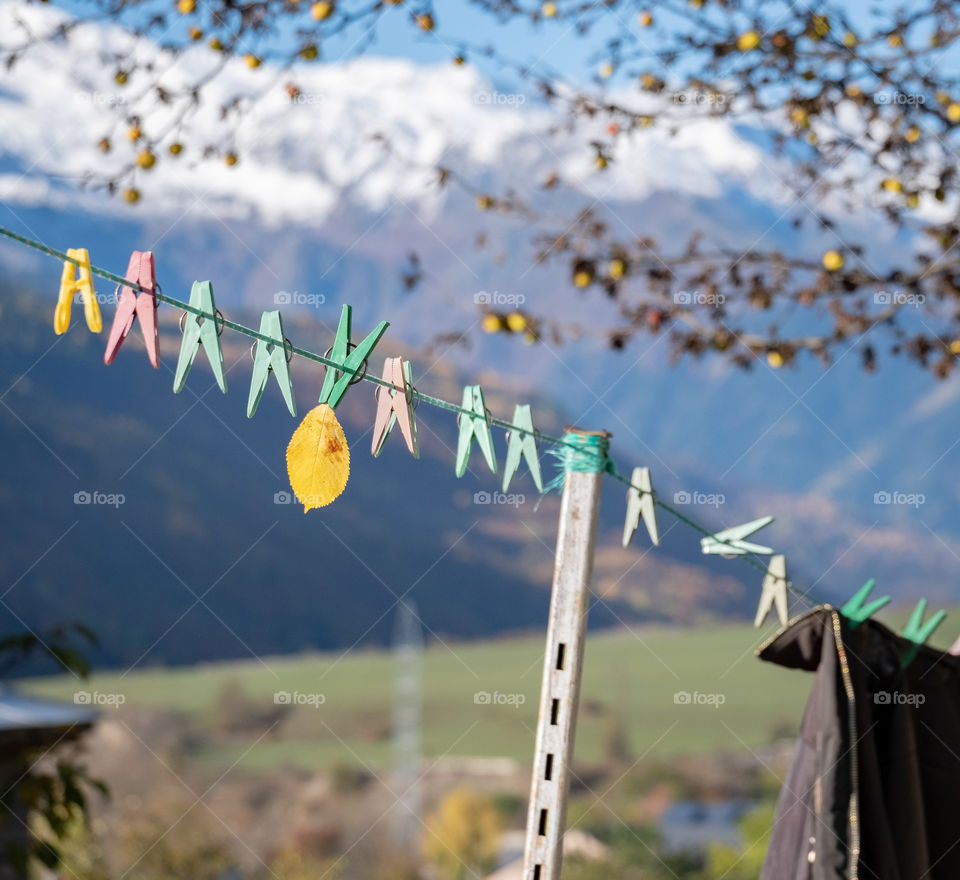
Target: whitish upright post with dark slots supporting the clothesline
(562,667)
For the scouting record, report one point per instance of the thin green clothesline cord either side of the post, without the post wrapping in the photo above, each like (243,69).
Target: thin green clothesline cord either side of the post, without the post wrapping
(419,397)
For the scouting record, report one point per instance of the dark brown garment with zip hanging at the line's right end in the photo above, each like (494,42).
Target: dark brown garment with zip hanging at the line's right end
(874,789)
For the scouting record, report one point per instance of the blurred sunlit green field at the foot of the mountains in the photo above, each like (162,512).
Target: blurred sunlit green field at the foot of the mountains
(630,679)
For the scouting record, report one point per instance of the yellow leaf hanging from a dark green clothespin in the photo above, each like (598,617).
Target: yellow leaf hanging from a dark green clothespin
(318,458)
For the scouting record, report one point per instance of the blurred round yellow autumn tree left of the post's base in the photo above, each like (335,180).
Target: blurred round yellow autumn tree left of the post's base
(462,837)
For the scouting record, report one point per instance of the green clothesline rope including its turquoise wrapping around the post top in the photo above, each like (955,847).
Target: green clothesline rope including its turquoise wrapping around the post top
(583,452)
